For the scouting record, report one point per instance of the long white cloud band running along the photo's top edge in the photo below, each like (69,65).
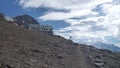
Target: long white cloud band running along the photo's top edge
(61,4)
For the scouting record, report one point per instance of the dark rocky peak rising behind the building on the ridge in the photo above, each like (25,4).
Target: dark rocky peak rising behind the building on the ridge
(24,20)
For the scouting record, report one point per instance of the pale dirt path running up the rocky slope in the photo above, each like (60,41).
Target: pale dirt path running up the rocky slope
(79,60)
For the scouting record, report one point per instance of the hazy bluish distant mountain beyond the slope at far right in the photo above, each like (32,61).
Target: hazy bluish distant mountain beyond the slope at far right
(111,47)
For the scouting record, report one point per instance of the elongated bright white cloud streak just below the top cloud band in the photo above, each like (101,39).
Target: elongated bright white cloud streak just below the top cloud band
(66,15)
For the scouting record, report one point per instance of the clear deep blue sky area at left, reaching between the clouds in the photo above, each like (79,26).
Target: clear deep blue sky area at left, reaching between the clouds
(12,8)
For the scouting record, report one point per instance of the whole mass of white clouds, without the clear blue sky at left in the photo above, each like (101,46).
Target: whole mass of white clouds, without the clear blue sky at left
(93,27)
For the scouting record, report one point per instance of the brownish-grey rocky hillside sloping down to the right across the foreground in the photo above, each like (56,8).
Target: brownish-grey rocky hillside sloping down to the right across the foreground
(23,48)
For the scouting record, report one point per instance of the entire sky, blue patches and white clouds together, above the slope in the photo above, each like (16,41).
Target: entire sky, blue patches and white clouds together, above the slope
(87,21)
